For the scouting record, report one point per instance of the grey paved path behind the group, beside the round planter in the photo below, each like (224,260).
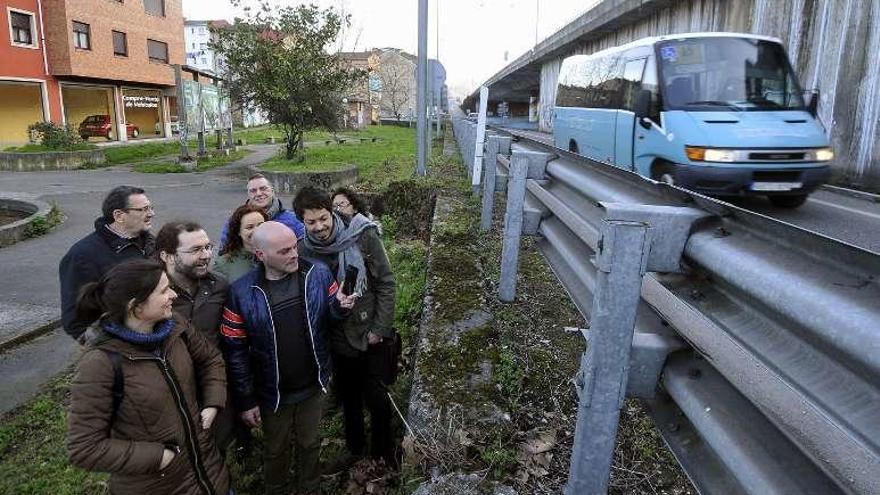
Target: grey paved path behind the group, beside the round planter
(29,292)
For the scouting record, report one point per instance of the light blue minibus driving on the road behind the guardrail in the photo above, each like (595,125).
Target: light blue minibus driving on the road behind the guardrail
(718,113)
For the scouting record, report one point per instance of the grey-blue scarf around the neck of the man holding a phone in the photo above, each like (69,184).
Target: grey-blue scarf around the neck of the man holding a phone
(343,242)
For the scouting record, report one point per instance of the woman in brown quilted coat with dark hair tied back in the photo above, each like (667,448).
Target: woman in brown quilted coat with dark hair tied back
(146,390)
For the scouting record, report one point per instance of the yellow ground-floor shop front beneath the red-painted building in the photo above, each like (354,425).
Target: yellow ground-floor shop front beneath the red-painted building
(21,104)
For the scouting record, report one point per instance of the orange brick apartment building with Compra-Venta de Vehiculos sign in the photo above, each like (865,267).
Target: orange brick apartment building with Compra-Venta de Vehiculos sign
(113,62)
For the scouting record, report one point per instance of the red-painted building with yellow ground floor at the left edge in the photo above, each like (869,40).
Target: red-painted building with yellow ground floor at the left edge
(28,92)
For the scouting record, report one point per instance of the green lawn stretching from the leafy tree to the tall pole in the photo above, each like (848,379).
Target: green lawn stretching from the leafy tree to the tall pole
(390,159)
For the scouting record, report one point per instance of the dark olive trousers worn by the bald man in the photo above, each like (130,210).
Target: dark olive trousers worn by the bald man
(292,423)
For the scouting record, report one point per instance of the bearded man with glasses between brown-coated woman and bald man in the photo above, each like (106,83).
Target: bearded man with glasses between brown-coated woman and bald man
(186,251)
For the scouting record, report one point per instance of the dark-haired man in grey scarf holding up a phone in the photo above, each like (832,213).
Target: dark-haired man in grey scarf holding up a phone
(364,345)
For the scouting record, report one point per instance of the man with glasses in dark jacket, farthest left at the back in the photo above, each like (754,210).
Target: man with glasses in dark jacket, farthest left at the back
(121,233)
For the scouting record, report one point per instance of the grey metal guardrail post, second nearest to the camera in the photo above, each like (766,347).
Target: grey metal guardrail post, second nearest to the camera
(516,195)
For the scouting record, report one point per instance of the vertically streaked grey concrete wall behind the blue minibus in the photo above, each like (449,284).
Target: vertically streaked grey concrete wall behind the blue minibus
(833,46)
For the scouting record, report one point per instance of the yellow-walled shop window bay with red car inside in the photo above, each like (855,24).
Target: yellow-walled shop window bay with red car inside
(90,111)
